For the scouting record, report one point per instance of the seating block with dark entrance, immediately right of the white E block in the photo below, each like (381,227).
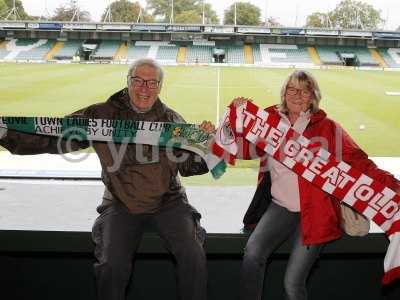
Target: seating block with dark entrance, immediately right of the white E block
(344,55)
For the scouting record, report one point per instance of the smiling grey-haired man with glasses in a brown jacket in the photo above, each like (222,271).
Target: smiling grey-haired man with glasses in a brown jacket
(141,187)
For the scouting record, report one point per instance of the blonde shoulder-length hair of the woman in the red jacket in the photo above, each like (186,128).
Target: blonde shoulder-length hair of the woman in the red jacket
(305,78)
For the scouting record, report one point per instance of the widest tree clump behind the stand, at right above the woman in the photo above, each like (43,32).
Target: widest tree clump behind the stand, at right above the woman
(348,14)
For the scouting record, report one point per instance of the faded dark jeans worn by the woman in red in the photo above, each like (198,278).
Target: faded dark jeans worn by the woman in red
(277,225)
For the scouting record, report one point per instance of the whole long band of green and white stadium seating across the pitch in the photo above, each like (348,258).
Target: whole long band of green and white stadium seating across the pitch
(165,52)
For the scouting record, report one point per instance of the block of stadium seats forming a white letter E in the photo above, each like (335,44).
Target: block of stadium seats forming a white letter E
(282,54)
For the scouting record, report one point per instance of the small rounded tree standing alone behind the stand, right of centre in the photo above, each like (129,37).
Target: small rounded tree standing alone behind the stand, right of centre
(246,14)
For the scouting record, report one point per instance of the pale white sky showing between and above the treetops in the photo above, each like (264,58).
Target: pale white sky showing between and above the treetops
(287,12)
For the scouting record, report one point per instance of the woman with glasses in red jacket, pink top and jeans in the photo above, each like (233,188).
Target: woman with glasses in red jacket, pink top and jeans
(299,211)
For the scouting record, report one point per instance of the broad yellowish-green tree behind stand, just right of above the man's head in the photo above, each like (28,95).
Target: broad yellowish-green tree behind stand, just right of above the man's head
(183,11)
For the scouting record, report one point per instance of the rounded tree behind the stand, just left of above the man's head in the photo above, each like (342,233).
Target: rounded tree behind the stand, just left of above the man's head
(126,11)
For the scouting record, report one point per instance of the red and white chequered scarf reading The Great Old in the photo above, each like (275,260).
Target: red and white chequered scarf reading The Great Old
(276,138)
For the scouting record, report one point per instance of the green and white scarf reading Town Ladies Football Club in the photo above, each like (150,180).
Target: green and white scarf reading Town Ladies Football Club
(174,135)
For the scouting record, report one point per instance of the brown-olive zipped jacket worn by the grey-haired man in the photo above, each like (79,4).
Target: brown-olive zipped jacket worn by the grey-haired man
(144,178)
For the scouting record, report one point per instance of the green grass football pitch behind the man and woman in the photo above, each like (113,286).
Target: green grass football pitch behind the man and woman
(350,97)
